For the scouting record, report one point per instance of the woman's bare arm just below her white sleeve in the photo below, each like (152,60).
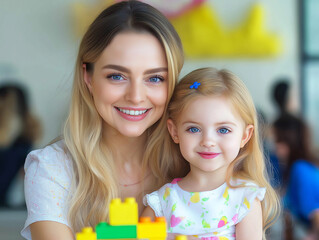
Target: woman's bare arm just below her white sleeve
(49,230)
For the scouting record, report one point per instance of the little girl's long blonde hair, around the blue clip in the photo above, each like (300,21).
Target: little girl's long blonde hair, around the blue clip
(250,162)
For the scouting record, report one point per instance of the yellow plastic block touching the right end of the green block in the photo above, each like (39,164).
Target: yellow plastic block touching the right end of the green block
(146,229)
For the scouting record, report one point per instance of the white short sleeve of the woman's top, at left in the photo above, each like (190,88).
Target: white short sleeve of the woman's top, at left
(48,175)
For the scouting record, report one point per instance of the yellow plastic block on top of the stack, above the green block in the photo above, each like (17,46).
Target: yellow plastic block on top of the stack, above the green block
(125,213)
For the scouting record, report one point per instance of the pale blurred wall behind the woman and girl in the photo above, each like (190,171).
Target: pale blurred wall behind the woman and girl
(38,47)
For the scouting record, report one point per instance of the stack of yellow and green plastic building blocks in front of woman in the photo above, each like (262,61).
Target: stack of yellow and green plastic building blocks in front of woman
(124,224)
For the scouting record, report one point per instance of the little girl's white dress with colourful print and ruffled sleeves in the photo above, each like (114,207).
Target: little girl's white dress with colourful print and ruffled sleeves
(210,215)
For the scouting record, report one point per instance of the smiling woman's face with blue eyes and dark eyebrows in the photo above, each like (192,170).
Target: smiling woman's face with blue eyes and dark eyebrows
(129,83)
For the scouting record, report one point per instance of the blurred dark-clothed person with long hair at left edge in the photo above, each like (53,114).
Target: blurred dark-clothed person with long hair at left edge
(19,130)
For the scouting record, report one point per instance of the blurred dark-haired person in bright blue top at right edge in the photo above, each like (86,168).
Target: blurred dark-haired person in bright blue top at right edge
(301,173)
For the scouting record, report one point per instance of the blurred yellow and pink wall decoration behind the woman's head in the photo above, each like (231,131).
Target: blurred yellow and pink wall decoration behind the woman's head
(201,32)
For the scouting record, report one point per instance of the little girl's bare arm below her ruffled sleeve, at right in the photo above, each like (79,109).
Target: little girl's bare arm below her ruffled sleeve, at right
(251,227)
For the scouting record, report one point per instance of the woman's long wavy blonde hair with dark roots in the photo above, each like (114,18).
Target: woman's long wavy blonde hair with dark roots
(95,182)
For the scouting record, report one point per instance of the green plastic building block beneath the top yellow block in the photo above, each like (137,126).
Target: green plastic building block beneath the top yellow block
(106,231)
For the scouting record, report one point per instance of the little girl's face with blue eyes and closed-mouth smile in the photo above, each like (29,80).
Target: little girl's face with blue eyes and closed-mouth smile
(210,134)
